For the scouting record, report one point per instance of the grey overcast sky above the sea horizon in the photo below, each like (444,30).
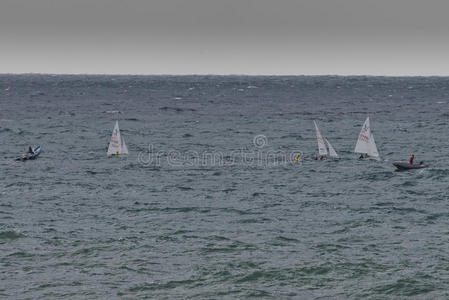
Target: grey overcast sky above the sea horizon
(371,37)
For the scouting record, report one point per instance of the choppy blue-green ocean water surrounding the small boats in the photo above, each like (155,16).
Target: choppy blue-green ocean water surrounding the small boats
(209,203)
